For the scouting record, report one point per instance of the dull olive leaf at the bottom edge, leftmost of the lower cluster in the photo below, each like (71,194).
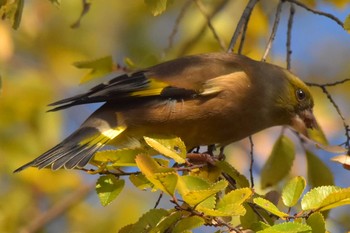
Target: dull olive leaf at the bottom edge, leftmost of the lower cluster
(149,220)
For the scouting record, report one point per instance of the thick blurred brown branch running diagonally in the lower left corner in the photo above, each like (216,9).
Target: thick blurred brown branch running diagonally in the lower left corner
(58,209)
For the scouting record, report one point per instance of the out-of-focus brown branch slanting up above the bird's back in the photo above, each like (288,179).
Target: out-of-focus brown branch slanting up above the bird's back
(200,33)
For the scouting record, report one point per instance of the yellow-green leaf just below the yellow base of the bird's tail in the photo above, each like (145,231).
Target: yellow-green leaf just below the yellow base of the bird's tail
(117,158)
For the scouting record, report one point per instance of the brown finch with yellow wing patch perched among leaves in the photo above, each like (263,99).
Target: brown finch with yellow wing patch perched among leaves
(204,99)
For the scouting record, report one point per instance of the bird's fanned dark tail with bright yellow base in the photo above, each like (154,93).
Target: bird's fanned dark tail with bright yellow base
(77,149)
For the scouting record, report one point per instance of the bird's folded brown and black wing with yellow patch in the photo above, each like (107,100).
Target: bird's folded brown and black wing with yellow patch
(182,78)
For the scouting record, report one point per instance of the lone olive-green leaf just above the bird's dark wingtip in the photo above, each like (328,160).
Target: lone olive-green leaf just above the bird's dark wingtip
(99,68)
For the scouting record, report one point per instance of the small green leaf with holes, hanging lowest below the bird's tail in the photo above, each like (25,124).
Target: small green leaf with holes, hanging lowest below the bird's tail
(108,188)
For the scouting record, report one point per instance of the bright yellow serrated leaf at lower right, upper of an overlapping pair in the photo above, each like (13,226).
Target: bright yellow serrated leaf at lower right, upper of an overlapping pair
(314,198)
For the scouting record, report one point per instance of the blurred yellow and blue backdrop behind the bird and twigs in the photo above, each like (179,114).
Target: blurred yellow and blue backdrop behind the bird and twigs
(36,69)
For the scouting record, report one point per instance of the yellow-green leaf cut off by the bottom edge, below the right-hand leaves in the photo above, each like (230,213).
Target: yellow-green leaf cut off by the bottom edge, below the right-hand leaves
(287,227)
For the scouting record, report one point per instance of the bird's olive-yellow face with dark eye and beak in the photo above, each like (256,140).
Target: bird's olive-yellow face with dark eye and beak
(299,103)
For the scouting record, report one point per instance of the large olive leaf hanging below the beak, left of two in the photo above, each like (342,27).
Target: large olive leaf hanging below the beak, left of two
(279,163)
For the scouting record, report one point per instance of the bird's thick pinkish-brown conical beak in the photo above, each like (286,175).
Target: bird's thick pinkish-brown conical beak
(303,120)
